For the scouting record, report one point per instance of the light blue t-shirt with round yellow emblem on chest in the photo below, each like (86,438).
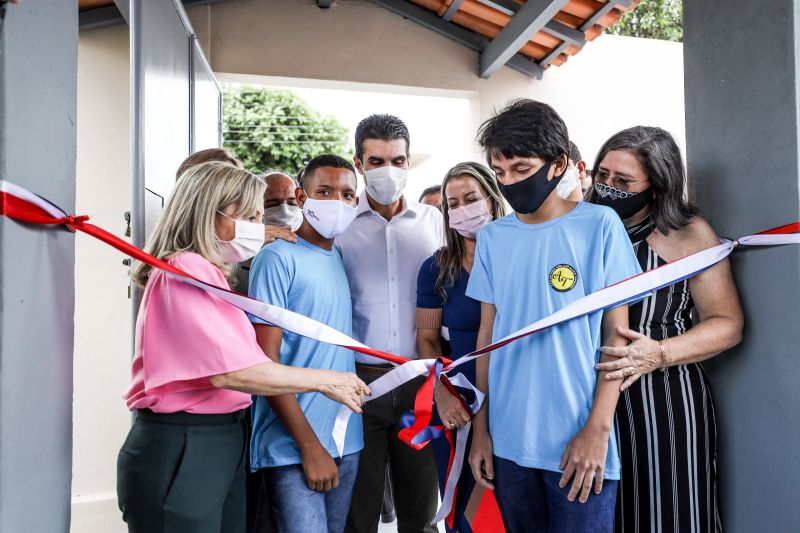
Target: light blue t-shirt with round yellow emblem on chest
(542,387)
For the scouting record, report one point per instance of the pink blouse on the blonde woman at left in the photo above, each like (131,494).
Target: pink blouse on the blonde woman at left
(183,336)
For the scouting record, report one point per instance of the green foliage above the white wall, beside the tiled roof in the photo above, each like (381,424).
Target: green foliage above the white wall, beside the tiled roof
(653,19)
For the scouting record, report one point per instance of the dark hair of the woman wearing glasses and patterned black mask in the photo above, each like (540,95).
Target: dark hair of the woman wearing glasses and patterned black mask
(660,157)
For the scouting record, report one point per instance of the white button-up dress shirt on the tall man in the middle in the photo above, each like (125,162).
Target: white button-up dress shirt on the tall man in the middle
(382,259)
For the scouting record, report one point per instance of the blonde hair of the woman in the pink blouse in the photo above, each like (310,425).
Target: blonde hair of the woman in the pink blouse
(187,223)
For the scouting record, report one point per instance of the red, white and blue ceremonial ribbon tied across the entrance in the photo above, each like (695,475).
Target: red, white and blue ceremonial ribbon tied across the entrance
(22,205)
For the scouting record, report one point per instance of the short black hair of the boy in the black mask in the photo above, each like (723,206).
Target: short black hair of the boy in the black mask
(525,128)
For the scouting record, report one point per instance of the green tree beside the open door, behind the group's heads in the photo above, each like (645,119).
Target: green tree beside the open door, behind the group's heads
(276,129)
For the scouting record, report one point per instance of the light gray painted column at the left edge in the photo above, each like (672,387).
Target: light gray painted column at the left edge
(38,84)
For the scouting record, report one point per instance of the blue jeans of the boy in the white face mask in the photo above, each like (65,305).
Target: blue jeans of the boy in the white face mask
(296,508)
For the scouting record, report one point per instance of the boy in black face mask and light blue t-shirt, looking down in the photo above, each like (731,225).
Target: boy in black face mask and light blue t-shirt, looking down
(544,438)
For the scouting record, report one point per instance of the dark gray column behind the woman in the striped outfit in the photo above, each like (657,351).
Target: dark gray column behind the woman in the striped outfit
(741,79)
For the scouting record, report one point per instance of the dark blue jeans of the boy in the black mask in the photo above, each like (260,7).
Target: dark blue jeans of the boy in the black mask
(531,500)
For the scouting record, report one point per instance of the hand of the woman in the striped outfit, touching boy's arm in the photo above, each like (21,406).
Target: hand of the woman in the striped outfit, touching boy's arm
(642,356)
